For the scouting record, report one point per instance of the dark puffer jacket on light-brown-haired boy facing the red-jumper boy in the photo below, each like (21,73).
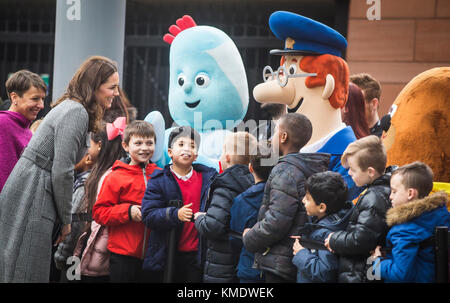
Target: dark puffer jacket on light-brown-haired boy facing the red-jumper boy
(221,259)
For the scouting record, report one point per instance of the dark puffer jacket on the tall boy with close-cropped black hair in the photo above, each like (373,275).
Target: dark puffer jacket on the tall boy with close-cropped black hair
(282,213)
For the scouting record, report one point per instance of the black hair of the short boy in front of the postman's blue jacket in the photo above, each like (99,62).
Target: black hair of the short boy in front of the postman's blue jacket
(328,188)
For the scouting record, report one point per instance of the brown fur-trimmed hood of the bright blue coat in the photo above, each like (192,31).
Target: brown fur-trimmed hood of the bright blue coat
(414,209)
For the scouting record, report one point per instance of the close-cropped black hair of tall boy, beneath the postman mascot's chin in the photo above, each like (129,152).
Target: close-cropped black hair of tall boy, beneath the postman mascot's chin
(298,128)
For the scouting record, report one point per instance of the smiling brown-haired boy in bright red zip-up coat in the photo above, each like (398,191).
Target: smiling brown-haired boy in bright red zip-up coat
(119,203)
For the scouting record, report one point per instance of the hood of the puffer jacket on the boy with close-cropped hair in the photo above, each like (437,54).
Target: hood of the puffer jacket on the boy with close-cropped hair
(312,162)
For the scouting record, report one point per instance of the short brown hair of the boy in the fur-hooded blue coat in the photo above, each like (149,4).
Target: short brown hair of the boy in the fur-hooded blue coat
(416,175)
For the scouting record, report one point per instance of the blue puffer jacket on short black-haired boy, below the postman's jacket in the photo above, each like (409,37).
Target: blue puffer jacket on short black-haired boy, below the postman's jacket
(321,265)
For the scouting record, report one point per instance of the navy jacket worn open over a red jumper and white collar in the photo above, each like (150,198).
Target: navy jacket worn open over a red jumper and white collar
(160,218)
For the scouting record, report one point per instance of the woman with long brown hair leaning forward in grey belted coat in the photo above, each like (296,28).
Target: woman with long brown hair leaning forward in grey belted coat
(38,192)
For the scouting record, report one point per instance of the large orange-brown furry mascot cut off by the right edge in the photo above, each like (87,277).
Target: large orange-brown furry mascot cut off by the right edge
(420,128)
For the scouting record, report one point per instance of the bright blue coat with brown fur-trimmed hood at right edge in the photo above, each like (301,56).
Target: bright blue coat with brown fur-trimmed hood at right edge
(412,223)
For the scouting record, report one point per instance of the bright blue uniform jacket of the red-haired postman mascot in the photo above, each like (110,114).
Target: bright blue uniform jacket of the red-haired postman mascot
(336,147)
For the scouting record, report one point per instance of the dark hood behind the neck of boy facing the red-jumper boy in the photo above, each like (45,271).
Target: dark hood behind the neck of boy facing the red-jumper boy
(236,177)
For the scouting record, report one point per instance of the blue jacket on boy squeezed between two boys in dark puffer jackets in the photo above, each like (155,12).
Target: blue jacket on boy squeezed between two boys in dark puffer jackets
(244,214)
